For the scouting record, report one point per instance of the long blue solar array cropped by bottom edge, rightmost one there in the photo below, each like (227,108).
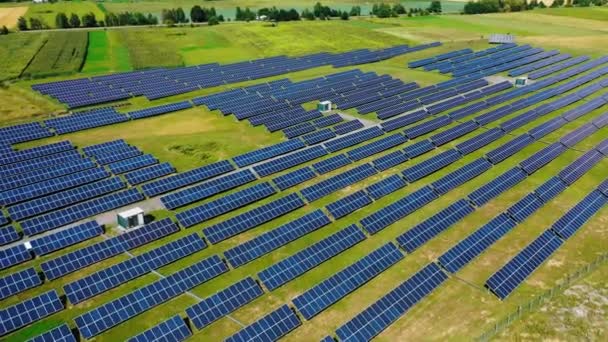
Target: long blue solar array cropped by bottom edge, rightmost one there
(377,317)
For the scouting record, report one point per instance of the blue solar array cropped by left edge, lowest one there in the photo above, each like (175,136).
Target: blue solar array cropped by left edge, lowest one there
(29,311)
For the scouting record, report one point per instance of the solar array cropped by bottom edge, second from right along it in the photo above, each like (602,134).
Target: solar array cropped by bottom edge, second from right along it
(269,328)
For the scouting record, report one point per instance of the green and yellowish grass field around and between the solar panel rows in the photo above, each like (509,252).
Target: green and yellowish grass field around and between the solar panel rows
(458,310)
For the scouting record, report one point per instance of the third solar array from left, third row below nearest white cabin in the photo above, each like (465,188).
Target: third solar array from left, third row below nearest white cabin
(273,239)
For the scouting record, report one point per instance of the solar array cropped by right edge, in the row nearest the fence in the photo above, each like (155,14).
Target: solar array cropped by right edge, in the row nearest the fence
(576,217)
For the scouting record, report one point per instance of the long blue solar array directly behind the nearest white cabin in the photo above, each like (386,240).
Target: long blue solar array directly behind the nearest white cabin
(80,211)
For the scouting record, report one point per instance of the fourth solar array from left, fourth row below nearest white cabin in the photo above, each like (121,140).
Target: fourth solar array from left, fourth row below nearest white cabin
(397,210)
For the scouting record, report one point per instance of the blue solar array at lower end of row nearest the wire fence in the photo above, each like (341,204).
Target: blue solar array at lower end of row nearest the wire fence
(514,272)
